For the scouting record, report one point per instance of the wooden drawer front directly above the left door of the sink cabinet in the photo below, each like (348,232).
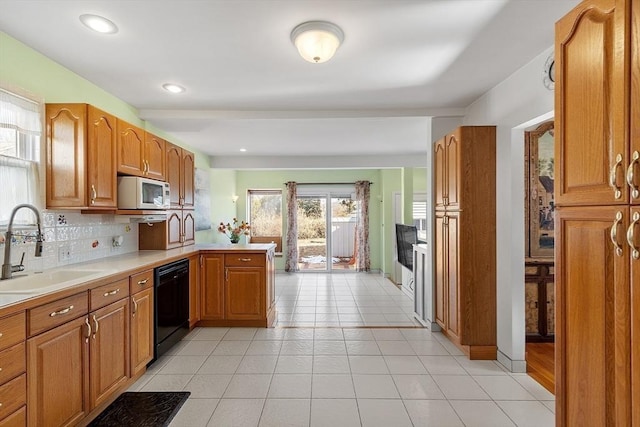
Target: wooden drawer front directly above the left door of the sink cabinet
(56,313)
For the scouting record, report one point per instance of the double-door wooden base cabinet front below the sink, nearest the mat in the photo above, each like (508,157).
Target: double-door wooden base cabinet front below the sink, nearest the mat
(77,366)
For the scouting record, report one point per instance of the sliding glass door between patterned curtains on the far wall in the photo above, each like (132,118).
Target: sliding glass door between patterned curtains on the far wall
(326,232)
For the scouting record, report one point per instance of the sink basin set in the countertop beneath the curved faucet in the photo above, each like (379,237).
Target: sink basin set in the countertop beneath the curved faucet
(48,281)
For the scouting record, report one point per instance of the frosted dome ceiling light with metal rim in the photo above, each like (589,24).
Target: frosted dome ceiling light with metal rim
(317,41)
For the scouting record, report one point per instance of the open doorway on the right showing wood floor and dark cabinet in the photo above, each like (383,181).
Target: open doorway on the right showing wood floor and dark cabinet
(539,252)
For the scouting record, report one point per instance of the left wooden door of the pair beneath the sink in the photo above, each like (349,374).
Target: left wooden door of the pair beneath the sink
(58,375)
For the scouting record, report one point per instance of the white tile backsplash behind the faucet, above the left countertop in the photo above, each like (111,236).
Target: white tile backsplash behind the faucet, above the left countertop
(71,237)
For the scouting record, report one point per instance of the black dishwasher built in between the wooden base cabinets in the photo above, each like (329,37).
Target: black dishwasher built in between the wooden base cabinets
(171,305)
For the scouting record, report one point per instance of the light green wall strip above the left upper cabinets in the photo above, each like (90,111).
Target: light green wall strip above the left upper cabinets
(26,70)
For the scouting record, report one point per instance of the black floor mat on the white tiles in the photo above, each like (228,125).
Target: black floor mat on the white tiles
(142,409)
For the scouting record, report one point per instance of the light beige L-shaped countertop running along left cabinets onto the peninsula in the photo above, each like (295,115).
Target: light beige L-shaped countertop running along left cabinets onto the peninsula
(72,278)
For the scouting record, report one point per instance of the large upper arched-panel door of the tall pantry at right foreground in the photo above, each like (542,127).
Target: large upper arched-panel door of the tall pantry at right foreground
(590,104)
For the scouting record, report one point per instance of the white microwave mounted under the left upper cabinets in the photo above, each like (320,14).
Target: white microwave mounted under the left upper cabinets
(143,193)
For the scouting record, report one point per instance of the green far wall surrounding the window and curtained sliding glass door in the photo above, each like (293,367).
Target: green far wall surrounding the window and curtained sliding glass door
(255,180)
